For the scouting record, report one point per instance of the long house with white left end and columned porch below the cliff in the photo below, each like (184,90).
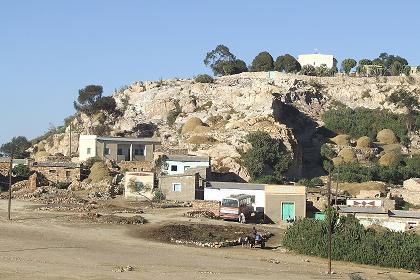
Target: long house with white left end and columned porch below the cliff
(117,148)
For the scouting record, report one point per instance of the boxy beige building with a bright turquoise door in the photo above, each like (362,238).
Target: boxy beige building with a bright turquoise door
(284,203)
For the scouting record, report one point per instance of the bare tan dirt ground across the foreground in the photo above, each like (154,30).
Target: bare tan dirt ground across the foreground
(60,245)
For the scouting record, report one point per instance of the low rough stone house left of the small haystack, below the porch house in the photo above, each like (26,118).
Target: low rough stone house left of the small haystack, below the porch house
(57,172)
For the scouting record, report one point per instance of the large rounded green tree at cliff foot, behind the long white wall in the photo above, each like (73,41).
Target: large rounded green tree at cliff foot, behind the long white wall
(267,157)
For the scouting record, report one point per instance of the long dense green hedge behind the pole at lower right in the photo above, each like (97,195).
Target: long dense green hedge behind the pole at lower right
(351,242)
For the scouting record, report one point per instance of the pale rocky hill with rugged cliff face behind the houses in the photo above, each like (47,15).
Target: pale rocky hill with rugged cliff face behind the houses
(219,115)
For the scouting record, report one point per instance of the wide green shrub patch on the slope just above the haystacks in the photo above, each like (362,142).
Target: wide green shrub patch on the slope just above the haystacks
(363,122)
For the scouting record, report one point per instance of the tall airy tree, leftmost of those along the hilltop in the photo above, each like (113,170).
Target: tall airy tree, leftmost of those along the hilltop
(218,59)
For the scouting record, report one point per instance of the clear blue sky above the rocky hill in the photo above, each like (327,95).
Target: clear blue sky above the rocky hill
(50,49)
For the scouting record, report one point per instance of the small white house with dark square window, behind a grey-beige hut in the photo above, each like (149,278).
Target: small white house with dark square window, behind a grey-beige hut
(178,164)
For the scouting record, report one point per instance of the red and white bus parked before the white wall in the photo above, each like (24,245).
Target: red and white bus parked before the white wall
(233,206)
